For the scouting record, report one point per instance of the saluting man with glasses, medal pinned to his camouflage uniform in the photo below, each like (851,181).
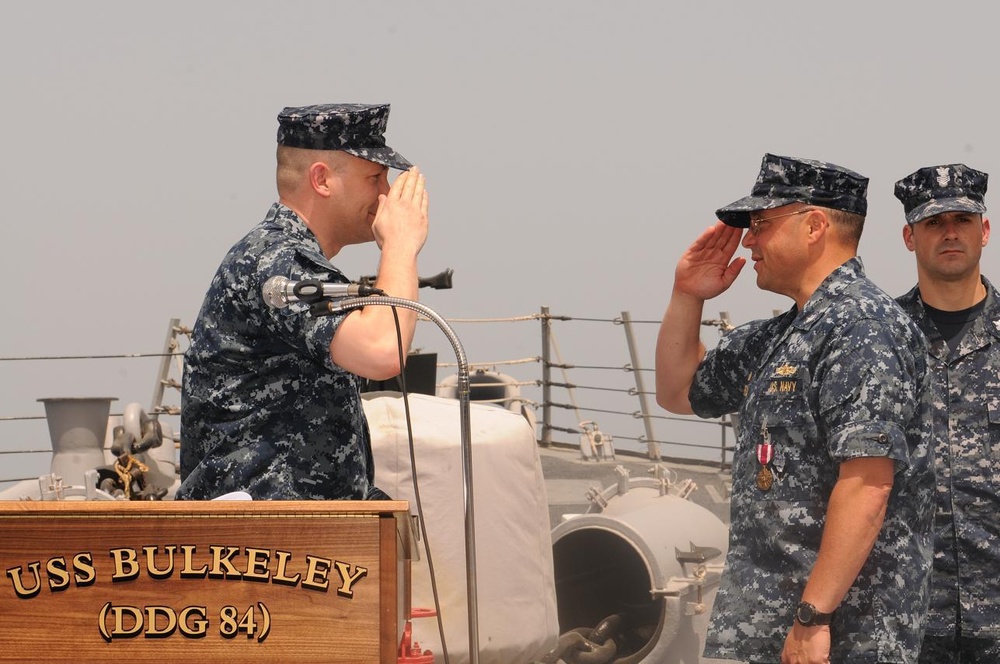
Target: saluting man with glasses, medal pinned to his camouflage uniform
(833,486)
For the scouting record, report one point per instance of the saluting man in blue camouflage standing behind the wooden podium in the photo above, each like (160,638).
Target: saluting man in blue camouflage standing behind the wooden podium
(270,401)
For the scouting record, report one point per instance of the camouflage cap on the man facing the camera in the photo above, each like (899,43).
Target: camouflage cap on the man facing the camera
(936,189)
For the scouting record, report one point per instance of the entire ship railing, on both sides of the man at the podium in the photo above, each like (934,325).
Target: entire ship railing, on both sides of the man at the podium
(570,399)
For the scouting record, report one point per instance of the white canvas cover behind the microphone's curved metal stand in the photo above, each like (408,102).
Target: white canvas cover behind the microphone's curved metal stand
(515,583)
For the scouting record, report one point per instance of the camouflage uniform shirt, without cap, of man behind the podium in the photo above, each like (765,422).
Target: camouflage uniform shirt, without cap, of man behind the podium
(264,408)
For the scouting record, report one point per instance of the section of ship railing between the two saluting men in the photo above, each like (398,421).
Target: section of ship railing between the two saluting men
(622,404)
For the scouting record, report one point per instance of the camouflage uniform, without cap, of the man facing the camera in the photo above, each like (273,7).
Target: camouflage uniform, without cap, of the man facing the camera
(966,398)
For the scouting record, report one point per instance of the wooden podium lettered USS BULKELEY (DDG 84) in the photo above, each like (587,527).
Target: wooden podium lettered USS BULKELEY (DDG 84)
(246,581)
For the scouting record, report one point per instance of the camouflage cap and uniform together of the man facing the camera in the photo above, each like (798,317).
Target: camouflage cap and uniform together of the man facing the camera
(964,621)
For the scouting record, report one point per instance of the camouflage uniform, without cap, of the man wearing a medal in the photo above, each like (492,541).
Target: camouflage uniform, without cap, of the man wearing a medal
(844,378)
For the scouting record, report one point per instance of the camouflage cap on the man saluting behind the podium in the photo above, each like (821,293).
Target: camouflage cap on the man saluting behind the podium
(357,129)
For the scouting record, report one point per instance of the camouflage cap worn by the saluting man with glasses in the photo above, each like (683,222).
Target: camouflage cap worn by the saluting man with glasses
(787,180)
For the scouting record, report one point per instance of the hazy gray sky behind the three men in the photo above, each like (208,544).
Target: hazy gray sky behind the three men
(572,149)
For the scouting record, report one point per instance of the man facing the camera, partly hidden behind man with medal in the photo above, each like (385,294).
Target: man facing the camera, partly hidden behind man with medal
(959,312)
